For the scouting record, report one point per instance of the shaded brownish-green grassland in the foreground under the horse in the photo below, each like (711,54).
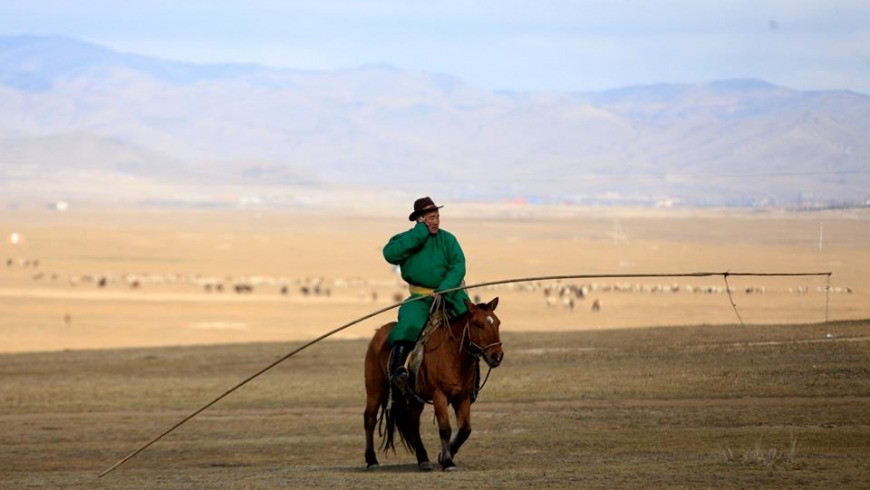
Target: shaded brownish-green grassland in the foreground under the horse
(676,407)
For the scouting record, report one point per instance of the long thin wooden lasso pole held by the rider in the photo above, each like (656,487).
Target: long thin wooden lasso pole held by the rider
(417,298)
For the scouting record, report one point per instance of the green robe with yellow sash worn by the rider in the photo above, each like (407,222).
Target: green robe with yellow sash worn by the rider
(430,261)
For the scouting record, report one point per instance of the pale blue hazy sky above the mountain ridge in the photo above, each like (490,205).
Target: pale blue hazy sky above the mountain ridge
(505,44)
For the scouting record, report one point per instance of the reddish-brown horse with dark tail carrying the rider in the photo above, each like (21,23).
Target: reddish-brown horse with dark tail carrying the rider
(446,377)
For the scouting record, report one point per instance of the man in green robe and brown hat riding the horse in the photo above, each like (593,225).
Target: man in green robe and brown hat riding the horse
(430,260)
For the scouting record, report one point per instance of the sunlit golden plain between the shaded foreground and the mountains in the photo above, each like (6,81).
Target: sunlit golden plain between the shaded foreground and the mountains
(157,264)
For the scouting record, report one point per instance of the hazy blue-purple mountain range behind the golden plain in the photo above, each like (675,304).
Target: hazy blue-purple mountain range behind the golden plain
(82,122)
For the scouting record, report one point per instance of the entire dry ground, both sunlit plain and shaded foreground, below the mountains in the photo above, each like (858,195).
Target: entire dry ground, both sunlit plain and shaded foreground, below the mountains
(596,399)
